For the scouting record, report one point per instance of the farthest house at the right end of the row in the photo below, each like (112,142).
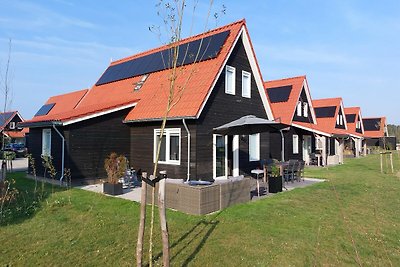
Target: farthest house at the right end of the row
(376,133)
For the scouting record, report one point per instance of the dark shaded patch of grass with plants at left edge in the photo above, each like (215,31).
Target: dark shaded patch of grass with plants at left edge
(29,198)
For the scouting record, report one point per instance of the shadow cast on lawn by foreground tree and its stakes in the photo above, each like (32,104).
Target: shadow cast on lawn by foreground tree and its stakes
(199,233)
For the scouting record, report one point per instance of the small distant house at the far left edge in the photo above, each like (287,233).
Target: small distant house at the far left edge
(10,129)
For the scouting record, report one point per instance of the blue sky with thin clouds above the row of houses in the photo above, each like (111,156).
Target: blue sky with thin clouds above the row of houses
(346,48)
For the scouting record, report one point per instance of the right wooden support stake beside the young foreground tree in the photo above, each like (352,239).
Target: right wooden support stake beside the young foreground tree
(163,222)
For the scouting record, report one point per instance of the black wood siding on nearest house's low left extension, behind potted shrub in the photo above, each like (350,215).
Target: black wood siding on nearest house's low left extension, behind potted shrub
(89,142)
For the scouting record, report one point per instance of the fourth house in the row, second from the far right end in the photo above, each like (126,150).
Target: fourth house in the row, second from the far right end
(356,144)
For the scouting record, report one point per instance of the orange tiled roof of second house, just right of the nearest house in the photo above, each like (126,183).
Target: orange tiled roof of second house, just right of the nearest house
(285,110)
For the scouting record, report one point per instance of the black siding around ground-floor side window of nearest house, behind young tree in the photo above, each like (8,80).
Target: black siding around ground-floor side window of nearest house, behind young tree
(142,144)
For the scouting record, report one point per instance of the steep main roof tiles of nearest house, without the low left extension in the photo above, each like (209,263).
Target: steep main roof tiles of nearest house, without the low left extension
(196,79)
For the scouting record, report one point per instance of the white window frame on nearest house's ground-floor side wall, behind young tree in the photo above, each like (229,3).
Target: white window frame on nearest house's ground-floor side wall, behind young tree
(168,133)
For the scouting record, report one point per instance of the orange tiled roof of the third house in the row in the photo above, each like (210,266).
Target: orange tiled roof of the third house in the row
(328,124)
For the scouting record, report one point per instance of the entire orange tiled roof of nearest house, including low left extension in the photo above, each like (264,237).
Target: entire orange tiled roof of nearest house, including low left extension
(153,94)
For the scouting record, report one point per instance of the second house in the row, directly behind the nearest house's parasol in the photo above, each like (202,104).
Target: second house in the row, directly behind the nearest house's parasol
(291,104)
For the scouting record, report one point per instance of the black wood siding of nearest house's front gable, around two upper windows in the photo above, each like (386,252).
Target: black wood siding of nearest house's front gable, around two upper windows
(222,108)
